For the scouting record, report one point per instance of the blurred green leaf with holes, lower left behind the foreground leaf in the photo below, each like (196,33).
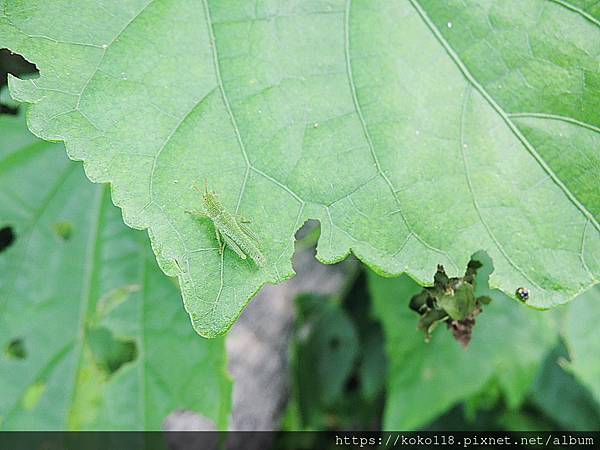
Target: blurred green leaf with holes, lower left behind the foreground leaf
(92,335)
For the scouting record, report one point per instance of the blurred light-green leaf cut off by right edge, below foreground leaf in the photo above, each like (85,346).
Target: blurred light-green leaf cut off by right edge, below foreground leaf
(582,337)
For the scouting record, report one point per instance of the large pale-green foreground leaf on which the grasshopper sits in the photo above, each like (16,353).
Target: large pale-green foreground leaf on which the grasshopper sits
(418,132)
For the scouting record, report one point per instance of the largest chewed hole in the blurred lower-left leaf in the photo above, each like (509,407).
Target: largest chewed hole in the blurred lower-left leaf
(111,353)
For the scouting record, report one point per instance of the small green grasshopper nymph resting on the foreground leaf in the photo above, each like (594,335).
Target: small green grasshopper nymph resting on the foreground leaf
(230,229)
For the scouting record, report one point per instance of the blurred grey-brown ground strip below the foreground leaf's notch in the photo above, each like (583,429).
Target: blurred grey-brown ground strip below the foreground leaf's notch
(258,344)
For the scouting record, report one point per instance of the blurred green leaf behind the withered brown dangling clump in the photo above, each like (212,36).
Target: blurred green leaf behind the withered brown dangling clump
(426,379)
